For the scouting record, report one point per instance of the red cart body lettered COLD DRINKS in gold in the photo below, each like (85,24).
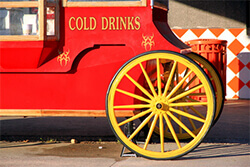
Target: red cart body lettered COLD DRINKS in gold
(73,72)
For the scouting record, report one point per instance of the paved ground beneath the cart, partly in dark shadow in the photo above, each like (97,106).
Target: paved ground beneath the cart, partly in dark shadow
(31,142)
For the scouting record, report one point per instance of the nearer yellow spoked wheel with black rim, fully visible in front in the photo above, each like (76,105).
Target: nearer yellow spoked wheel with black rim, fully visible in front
(163,105)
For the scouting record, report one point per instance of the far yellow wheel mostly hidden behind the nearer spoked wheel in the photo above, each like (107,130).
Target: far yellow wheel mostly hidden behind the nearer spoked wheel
(219,92)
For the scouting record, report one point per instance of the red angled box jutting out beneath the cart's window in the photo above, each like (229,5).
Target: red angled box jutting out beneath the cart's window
(26,56)
